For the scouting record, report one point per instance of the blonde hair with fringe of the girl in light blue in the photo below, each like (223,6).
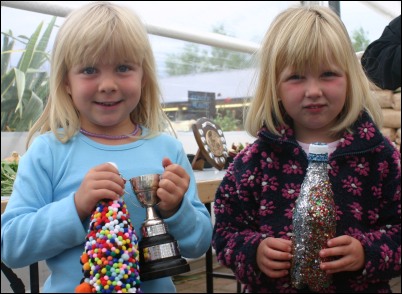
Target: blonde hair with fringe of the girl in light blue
(95,32)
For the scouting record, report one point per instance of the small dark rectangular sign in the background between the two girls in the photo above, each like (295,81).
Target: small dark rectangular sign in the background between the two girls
(202,103)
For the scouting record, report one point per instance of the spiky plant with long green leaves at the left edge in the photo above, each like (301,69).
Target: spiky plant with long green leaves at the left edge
(24,87)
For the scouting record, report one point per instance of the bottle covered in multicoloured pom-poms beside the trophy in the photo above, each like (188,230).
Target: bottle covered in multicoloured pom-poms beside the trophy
(111,258)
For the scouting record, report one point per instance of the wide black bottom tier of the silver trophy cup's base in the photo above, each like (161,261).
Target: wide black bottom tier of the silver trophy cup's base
(163,268)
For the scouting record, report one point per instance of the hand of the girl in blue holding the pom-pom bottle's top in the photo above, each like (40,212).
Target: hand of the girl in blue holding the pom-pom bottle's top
(101,182)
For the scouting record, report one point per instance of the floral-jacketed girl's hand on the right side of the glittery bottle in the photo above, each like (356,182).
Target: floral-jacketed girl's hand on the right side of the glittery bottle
(349,253)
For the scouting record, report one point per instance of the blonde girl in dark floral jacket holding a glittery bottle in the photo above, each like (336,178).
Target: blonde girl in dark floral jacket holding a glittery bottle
(311,88)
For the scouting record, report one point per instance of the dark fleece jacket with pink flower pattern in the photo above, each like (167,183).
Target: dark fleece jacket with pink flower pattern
(257,195)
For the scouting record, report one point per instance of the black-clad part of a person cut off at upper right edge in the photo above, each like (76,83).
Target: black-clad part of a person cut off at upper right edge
(382,58)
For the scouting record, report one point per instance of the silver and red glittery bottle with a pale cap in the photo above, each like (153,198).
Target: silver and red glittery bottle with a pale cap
(314,223)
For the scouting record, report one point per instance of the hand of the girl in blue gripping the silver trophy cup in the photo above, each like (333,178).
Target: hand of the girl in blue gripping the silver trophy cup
(172,187)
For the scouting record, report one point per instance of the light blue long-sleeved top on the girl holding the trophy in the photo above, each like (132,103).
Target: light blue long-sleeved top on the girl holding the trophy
(41,221)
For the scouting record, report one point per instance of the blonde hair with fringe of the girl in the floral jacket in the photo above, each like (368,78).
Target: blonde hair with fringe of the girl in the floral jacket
(307,38)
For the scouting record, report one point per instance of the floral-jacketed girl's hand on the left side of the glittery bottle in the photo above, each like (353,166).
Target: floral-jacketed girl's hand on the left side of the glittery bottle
(274,256)
